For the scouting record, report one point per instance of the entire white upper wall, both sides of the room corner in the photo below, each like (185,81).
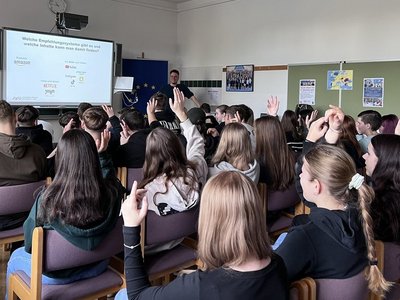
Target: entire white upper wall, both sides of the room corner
(202,41)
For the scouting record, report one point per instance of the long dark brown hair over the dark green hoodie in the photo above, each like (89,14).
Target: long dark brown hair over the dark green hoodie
(78,191)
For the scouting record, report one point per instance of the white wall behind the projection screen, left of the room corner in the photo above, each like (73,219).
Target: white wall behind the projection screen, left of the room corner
(138,28)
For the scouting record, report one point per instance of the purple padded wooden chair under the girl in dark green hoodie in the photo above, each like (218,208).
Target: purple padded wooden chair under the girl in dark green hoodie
(51,252)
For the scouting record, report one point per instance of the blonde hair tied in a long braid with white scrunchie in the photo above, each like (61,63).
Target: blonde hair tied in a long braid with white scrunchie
(335,168)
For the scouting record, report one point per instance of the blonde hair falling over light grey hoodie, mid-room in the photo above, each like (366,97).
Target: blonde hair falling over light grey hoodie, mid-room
(234,147)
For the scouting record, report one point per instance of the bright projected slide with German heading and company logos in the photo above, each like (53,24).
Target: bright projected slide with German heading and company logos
(43,69)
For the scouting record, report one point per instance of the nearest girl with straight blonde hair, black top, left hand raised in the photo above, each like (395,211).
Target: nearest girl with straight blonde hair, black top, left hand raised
(233,245)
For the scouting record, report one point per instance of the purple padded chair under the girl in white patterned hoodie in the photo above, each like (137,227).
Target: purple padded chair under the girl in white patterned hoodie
(157,229)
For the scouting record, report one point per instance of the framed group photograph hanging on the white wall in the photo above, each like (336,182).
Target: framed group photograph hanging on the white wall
(240,78)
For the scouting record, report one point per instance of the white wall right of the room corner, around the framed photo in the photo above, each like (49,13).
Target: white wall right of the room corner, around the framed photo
(270,32)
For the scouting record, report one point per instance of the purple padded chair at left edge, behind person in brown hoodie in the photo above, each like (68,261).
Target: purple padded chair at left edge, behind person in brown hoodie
(17,199)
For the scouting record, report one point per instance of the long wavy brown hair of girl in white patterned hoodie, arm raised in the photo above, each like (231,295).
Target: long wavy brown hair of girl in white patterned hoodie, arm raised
(166,155)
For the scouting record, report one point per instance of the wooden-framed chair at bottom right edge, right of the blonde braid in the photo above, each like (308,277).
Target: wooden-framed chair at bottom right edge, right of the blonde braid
(388,255)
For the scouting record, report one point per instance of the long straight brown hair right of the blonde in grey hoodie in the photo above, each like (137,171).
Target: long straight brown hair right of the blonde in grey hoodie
(273,153)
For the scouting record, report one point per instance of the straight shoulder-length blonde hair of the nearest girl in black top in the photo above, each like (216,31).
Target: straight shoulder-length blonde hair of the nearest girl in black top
(232,224)
